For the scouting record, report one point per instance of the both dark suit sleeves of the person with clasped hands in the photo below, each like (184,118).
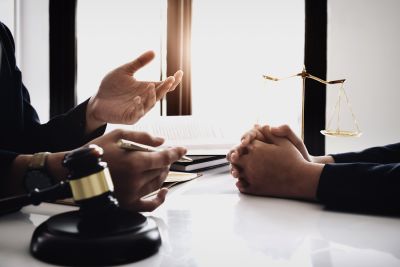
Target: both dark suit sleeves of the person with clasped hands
(366,181)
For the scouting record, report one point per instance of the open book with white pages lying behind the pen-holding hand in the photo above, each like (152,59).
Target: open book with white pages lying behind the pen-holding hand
(199,135)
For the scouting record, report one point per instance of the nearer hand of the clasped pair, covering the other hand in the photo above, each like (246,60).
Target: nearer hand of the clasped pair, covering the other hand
(276,169)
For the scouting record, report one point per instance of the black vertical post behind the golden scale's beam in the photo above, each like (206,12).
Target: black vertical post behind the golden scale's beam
(315,60)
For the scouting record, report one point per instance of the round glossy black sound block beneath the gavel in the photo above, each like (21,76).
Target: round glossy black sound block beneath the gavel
(77,240)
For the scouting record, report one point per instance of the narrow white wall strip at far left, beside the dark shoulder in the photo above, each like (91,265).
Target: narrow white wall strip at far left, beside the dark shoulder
(29,23)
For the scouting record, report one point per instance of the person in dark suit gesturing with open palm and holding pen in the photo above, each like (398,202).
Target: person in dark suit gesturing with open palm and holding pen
(120,99)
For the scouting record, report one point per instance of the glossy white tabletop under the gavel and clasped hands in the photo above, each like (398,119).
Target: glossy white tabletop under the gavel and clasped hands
(207,222)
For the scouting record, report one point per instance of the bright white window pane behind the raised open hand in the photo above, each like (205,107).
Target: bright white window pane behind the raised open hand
(113,32)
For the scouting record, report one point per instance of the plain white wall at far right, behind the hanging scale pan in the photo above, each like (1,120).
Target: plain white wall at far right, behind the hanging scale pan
(364,48)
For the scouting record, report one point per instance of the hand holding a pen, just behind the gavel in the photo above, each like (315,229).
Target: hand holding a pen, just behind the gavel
(135,173)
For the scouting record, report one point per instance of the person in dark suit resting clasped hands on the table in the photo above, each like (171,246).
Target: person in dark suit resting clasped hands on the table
(275,162)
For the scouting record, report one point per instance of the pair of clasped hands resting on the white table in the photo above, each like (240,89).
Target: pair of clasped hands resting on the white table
(273,161)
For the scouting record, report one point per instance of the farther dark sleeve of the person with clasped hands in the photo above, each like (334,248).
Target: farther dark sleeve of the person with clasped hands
(383,154)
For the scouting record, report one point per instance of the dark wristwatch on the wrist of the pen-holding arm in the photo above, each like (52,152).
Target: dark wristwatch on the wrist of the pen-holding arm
(36,175)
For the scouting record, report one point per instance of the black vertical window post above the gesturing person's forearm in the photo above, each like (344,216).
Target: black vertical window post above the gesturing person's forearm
(62,56)
